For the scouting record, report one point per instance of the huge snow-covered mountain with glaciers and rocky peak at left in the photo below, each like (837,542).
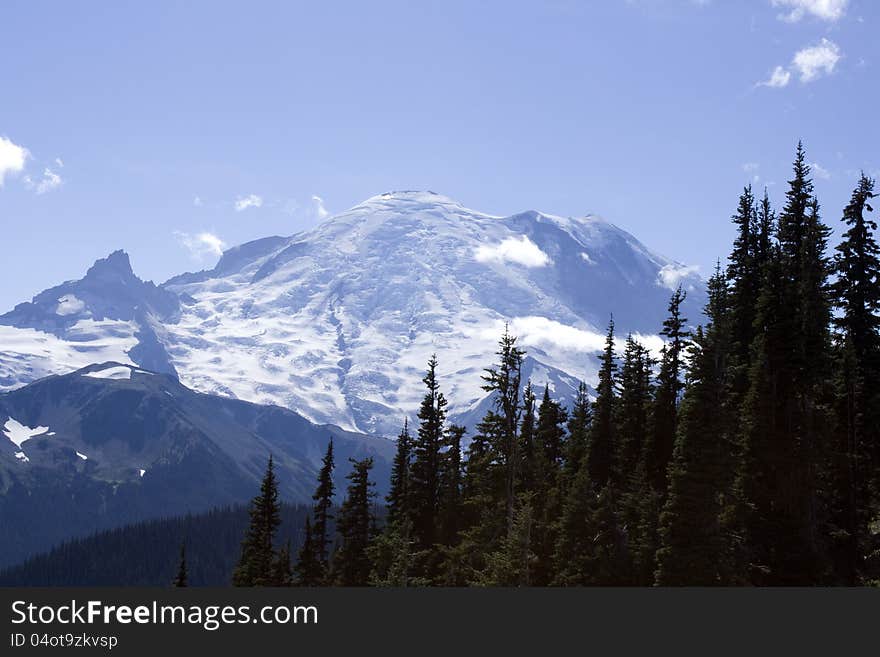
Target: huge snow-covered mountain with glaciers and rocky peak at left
(338,322)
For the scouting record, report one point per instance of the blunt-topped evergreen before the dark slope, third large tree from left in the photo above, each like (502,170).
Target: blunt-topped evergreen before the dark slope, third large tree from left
(351,565)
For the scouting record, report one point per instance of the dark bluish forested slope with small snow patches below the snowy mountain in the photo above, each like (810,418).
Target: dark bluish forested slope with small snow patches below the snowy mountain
(111,444)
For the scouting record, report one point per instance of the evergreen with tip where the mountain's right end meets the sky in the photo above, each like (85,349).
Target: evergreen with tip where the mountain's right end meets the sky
(693,547)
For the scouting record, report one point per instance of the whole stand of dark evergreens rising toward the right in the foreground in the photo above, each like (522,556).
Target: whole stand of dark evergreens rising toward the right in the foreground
(745,453)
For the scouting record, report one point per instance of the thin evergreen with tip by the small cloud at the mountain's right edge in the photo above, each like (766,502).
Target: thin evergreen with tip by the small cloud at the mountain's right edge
(669,387)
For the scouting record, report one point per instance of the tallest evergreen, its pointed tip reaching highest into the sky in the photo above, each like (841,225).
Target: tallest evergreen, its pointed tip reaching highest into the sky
(778,503)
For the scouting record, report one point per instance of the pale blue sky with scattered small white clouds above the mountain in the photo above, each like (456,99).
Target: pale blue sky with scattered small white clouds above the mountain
(172,128)
